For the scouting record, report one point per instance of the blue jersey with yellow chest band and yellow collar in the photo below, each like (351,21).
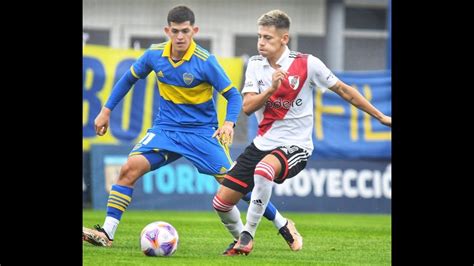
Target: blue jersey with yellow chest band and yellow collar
(186,87)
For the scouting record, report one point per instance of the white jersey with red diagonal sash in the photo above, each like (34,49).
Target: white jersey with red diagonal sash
(287,117)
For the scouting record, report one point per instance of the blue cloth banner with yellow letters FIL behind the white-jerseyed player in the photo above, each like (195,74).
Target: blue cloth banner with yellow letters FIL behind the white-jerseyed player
(341,131)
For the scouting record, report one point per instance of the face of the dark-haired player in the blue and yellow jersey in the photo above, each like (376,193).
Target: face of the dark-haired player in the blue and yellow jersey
(180,35)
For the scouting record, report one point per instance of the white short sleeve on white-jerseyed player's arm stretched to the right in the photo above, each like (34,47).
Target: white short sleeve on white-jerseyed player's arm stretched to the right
(320,74)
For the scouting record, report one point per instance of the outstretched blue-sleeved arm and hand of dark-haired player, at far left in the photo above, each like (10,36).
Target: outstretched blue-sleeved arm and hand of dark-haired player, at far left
(139,69)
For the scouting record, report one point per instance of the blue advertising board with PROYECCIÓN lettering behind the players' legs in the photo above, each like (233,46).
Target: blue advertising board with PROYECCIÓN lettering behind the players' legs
(324,186)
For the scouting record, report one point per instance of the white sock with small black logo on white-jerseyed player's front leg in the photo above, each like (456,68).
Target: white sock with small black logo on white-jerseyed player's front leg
(258,203)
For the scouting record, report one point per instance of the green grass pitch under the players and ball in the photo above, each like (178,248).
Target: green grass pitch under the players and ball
(329,239)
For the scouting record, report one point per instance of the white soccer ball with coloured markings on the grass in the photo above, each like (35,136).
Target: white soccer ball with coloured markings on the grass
(159,239)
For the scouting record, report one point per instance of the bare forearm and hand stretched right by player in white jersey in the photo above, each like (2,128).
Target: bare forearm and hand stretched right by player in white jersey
(352,96)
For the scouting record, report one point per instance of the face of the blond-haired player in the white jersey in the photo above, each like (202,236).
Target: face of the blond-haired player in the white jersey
(271,41)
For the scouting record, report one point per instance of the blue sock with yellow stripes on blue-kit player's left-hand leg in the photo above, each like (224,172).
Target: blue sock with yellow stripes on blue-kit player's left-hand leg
(119,198)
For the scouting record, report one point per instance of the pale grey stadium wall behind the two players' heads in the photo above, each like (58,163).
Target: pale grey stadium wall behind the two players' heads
(218,20)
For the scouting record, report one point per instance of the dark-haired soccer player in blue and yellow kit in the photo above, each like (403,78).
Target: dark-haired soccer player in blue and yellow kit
(186,124)
